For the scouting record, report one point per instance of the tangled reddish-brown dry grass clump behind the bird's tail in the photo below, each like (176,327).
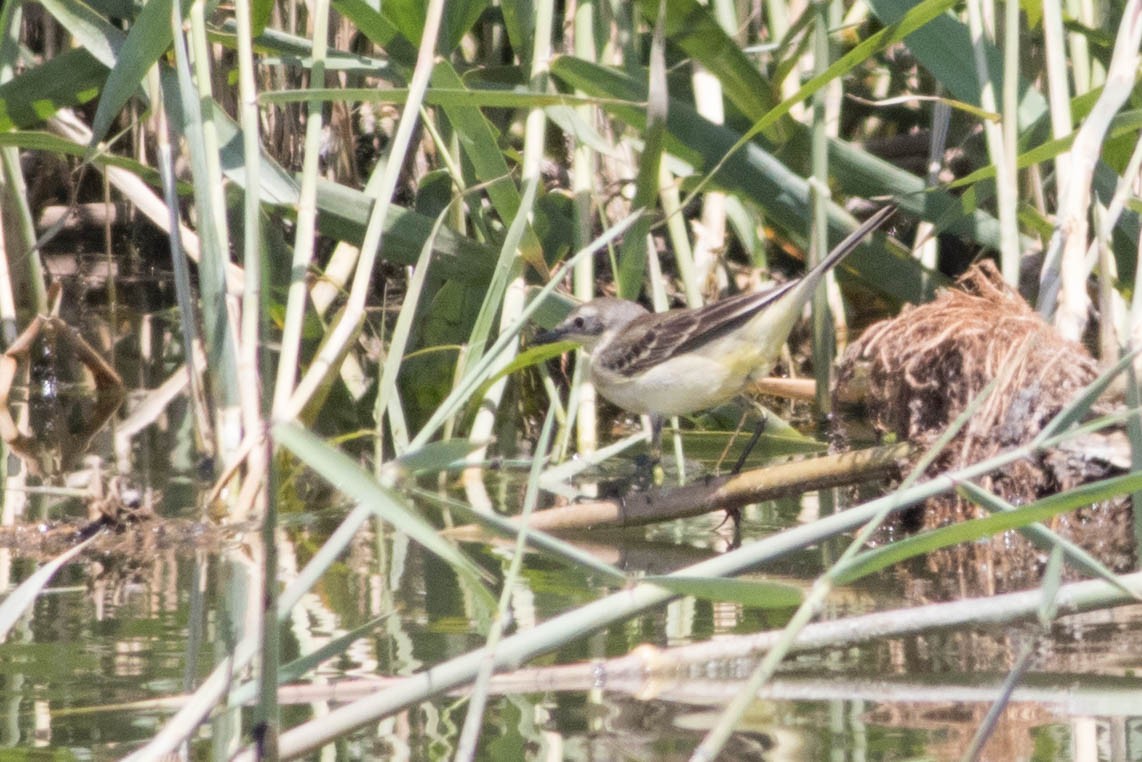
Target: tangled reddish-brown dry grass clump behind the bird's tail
(916,374)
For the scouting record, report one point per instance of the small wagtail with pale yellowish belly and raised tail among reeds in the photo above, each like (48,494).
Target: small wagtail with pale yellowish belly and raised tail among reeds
(682,362)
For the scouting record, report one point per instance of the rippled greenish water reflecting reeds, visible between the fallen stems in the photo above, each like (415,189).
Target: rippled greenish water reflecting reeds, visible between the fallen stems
(112,635)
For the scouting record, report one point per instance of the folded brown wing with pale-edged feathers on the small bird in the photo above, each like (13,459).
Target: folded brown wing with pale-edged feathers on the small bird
(650,340)
